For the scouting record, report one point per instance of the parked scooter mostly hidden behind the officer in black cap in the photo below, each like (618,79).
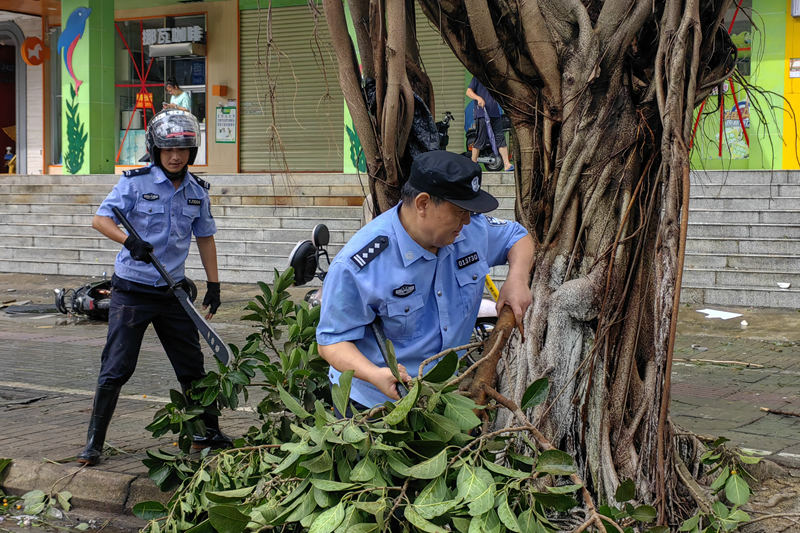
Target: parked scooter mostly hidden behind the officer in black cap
(306,257)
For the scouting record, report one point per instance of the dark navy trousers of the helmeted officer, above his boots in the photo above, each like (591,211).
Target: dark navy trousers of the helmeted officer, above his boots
(135,306)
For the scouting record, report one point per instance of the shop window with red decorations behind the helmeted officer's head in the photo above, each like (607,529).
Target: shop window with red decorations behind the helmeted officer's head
(151,52)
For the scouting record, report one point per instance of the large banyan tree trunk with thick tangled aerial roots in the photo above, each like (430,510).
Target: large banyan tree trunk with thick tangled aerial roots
(601,96)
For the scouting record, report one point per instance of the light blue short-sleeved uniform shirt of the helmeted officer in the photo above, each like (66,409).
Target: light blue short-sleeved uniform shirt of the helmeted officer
(163,216)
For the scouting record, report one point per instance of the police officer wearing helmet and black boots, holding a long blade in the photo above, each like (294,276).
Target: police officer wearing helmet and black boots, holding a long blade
(166,204)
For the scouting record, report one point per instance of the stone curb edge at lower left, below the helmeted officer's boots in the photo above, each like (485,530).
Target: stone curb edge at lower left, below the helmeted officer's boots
(92,487)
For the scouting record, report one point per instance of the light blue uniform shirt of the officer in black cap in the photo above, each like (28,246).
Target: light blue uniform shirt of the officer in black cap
(426,301)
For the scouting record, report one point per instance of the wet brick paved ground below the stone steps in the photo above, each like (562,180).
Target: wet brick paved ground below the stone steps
(49,364)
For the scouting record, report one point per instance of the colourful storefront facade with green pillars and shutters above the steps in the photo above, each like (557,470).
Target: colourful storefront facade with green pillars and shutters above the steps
(79,80)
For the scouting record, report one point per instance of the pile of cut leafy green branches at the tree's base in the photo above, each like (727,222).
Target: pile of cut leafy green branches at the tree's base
(424,463)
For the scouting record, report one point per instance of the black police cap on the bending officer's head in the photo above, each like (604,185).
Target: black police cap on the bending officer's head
(452,177)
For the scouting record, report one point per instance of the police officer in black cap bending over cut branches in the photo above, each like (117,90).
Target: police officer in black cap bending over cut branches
(420,267)
